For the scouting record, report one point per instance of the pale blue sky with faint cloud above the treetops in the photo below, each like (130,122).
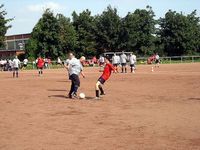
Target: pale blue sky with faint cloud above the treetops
(26,13)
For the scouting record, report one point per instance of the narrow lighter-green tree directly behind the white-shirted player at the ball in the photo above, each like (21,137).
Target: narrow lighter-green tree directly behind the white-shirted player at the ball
(67,35)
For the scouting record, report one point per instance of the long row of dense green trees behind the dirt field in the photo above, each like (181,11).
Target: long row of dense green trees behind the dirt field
(138,32)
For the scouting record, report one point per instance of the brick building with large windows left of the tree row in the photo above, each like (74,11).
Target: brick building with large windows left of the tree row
(14,45)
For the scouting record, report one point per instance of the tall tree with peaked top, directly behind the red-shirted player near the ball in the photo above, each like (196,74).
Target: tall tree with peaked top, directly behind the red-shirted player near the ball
(108,28)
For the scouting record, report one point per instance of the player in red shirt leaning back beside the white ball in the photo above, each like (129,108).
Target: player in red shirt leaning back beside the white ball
(108,69)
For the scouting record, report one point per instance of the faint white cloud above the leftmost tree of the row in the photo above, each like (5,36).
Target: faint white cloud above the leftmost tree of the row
(41,7)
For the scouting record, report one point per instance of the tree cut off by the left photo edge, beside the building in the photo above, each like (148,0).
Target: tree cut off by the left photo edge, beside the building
(3,25)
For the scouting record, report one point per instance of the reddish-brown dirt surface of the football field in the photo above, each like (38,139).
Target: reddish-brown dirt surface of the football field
(143,111)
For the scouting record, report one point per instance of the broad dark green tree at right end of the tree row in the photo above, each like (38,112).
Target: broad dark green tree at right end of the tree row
(179,33)
